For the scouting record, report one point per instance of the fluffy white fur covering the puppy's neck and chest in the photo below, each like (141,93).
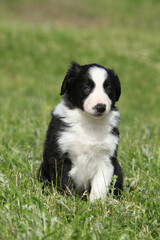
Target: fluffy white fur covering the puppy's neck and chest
(89,143)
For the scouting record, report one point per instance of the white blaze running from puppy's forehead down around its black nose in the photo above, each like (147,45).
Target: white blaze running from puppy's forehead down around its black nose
(98,95)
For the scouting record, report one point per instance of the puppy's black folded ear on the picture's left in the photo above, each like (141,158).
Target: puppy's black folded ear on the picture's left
(70,76)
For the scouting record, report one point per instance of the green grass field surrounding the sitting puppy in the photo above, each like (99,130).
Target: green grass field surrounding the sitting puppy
(38,39)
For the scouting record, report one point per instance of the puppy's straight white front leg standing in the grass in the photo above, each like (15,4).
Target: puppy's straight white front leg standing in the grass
(100,182)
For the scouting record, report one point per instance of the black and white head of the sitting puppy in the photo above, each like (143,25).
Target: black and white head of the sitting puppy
(92,88)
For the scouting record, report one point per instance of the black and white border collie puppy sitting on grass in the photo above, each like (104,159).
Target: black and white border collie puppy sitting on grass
(80,150)
